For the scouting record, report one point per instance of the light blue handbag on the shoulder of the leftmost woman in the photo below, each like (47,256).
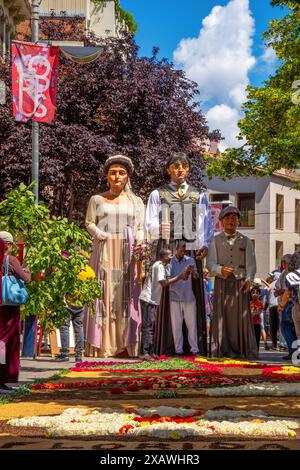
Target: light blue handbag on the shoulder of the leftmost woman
(13,289)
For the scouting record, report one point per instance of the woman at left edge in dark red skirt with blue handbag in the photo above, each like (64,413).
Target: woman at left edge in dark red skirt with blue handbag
(12,295)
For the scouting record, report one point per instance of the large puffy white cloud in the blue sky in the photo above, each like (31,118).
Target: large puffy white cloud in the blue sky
(219,60)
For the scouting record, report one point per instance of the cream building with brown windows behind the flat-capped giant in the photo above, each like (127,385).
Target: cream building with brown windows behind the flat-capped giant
(270,213)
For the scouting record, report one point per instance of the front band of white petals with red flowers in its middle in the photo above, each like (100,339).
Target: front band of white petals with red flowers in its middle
(165,423)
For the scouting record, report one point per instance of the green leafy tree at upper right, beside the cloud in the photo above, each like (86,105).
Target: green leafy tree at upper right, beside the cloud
(271,126)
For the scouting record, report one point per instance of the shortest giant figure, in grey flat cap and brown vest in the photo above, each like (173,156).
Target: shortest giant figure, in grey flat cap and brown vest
(231,259)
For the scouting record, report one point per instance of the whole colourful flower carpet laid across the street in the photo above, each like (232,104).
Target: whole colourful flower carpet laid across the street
(167,400)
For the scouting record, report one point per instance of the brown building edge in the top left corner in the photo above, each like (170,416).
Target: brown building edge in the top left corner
(12,12)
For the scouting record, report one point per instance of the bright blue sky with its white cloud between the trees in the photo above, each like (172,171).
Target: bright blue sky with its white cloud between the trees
(218,43)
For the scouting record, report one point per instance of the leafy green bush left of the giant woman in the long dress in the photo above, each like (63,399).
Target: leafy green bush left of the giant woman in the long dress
(46,238)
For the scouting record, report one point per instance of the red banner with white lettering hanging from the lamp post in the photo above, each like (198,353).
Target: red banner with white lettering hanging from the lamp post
(34,81)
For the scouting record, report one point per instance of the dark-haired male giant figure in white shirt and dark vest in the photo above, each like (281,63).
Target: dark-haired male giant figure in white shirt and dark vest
(176,212)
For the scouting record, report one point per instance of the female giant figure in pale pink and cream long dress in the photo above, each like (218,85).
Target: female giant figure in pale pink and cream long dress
(115,219)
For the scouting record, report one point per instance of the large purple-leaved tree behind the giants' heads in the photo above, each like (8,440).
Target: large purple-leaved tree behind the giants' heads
(139,106)
